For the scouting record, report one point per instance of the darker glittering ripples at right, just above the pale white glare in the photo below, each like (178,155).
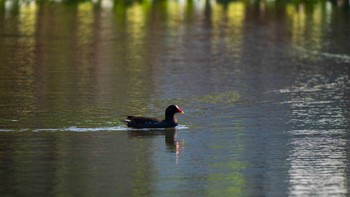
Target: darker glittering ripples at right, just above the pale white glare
(317,102)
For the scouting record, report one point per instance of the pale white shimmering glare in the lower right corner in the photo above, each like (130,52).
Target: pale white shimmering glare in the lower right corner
(318,163)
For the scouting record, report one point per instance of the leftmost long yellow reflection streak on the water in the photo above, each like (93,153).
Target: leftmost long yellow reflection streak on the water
(24,63)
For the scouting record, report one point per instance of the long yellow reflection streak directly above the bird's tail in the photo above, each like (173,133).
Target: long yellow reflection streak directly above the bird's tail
(137,66)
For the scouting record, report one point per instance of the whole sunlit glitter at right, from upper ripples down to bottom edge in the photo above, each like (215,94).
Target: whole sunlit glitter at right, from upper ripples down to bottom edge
(318,153)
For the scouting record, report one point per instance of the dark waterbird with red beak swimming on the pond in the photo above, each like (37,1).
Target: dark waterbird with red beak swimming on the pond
(145,122)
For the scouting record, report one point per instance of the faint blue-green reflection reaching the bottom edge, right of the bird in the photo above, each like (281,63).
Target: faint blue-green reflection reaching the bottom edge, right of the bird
(228,177)
